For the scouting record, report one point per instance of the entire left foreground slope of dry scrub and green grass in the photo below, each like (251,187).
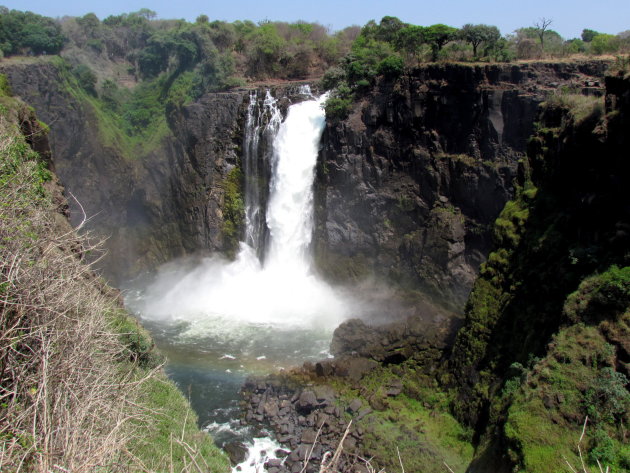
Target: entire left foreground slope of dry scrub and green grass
(80,385)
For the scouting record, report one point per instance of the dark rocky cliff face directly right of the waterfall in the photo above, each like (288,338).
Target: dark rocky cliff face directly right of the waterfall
(409,185)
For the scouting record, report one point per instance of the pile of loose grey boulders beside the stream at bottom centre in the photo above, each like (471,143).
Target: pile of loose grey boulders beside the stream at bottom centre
(309,421)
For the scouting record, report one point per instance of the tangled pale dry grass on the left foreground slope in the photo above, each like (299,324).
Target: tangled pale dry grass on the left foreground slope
(64,401)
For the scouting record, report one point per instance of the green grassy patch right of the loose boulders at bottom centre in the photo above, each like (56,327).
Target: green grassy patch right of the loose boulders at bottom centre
(415,423)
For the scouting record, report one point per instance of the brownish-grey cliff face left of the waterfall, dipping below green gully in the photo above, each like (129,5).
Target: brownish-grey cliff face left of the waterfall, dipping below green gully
(149,207)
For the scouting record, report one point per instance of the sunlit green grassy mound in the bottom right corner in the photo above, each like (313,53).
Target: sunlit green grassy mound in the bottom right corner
(547,413)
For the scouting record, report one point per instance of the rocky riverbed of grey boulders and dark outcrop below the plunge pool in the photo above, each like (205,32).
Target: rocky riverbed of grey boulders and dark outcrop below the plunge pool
(307,414)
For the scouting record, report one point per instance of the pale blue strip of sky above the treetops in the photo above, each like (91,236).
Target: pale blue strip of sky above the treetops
(569,16)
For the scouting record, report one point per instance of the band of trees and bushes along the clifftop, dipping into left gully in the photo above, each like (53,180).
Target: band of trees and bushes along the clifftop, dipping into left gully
(134,66)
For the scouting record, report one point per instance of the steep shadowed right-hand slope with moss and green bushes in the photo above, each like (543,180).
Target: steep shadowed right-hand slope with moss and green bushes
(547,322)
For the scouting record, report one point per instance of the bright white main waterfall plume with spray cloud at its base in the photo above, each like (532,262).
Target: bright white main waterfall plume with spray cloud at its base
(230,299)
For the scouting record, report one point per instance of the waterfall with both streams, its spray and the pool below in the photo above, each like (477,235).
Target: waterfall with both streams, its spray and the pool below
(219,321)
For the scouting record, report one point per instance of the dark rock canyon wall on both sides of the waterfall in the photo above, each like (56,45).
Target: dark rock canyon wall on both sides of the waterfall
(407,187)
